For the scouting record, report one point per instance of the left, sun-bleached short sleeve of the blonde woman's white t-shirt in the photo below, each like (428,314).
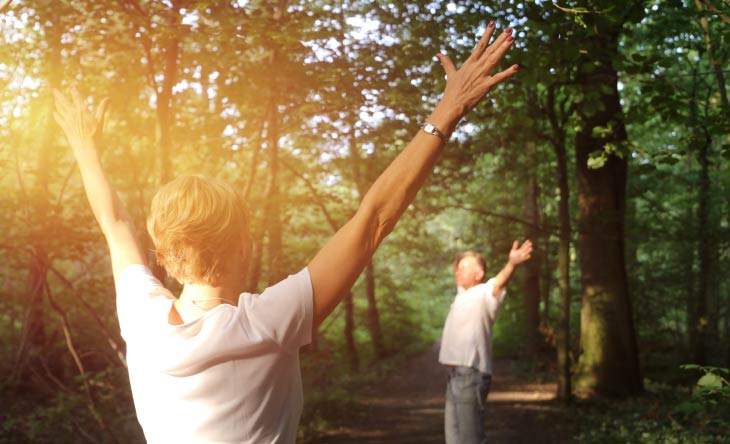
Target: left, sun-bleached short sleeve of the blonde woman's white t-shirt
(140,298)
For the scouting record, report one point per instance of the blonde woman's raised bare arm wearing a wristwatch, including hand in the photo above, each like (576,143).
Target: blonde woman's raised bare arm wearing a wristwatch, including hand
(336,267)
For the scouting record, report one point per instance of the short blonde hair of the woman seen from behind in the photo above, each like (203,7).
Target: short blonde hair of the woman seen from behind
(197,223)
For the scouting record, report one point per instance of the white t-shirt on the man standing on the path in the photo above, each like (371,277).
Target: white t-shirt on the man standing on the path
(467,336)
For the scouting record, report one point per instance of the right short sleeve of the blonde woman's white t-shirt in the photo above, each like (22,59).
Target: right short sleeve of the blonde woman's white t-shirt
(283,312)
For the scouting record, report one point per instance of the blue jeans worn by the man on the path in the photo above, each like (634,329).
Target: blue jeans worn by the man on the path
(466,399)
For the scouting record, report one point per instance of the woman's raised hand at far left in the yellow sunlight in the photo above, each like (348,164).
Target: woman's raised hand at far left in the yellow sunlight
(79,125)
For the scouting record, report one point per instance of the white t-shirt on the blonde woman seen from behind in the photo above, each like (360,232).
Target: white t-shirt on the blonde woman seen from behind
(230,376)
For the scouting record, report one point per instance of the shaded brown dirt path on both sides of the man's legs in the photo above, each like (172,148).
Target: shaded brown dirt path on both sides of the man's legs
(408,408)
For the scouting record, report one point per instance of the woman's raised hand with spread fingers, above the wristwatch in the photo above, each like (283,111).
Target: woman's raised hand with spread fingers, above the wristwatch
(466,86)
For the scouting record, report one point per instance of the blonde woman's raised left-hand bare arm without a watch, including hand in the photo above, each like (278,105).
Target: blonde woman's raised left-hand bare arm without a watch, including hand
(82,129)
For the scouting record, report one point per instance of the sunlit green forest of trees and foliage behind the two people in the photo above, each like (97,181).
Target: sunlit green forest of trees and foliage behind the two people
(609,149)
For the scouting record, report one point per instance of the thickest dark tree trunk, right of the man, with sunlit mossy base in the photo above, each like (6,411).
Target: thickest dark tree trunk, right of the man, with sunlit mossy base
(609,363)
